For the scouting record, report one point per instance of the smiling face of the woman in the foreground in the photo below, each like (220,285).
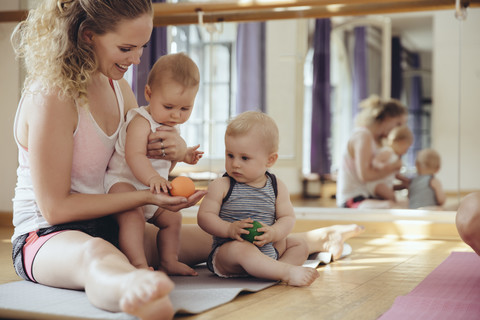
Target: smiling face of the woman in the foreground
(117,50)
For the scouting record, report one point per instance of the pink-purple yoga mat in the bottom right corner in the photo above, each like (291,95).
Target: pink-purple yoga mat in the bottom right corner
(451,291)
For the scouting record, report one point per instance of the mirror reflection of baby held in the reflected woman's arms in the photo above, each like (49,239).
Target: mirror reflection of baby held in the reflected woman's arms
(398,141)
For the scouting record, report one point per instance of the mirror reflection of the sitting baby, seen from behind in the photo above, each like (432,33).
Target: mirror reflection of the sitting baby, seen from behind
(425,190)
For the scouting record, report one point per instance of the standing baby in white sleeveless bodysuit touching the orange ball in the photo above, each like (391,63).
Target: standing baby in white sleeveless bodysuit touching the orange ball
(171,89)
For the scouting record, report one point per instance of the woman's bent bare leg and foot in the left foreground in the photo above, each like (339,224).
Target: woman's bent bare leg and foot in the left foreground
(74,260)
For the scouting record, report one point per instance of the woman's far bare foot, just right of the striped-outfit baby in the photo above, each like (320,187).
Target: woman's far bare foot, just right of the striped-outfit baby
(330,239)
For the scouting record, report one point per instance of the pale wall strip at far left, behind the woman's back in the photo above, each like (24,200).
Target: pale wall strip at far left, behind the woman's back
(9,94)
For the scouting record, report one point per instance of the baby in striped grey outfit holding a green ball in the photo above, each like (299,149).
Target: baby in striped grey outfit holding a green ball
(246,193)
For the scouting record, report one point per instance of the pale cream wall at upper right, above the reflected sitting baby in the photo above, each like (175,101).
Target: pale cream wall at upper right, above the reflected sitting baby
(446,94)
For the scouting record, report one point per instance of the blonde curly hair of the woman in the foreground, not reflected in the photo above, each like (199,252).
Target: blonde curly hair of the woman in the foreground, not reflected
(50,41)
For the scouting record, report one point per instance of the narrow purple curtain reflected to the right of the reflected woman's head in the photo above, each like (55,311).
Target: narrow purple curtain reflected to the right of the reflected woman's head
(415,104)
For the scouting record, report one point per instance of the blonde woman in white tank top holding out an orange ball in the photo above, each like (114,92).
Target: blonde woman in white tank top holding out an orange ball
(74,101)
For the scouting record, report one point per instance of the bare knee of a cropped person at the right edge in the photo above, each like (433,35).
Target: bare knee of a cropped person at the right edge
(468,220)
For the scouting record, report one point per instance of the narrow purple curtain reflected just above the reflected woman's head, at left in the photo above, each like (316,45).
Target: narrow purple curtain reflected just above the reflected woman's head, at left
(360,68)
